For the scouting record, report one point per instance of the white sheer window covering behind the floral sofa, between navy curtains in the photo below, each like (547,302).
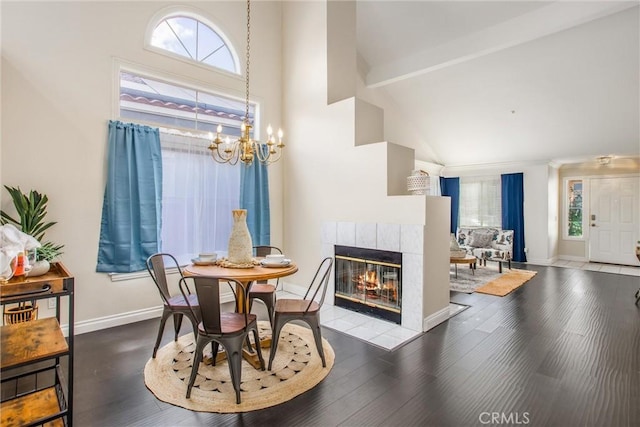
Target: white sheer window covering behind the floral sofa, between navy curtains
(480,202)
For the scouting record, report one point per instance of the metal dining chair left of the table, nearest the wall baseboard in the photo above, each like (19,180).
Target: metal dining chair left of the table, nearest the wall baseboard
(178,305)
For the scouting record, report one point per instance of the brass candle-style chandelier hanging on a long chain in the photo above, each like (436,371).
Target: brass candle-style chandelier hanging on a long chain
(244,148)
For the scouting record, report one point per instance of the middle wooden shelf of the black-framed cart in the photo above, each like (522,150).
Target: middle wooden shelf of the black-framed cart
(31,342)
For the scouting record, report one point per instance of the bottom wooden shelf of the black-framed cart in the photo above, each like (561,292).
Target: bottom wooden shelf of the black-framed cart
(26,410)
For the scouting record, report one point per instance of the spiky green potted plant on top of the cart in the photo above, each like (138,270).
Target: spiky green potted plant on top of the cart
(32,210)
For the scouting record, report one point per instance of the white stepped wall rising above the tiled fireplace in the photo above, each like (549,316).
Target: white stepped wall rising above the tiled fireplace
(329,178)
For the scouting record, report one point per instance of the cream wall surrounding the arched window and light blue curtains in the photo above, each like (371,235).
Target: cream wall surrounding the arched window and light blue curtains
(58,89)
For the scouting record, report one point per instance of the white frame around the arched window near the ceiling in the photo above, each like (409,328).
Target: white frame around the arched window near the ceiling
(176,11)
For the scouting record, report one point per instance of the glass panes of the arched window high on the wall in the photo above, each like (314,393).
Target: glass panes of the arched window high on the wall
(190,37)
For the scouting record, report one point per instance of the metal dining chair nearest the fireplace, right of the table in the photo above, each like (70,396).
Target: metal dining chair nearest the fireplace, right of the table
(306,309)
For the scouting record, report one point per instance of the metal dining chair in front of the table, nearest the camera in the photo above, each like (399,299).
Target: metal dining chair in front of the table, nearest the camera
(228,329)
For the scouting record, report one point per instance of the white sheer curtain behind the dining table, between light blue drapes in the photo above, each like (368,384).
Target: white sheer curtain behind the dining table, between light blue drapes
(198,196)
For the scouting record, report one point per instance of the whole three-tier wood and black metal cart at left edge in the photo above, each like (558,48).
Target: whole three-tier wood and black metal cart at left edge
(24,346)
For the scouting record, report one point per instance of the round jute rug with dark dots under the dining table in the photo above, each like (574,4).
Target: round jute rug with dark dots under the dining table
(296,368)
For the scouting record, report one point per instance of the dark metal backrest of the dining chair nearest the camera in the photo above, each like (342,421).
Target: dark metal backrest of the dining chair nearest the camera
(208,292)
